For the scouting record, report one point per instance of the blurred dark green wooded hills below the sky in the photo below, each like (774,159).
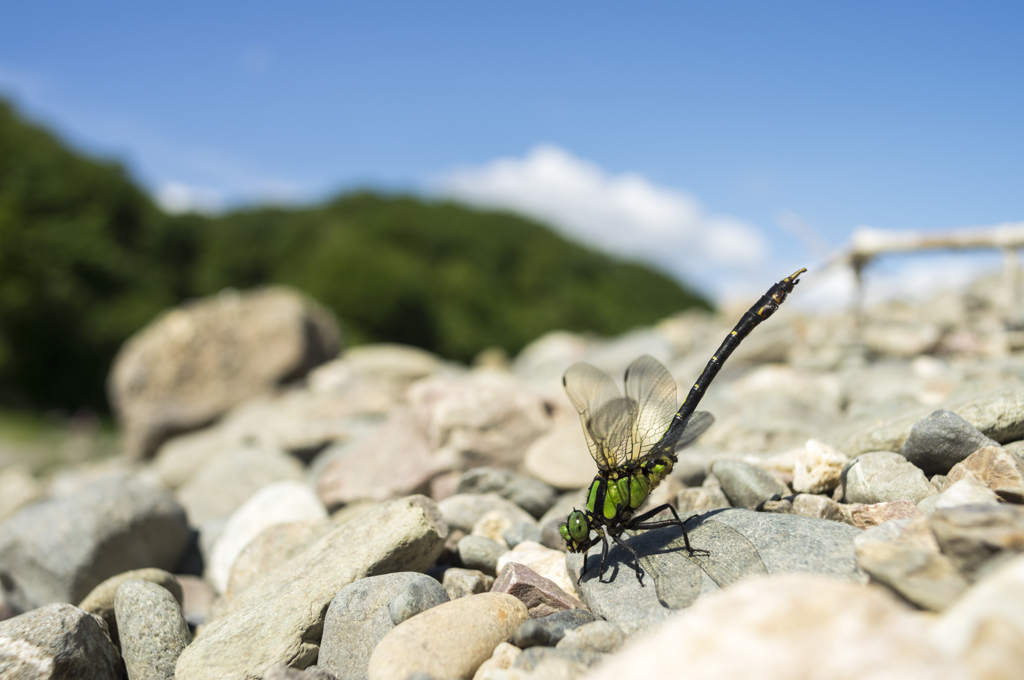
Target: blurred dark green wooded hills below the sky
(87,260)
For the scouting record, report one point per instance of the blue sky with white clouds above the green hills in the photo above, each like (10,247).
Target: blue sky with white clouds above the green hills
(699,137)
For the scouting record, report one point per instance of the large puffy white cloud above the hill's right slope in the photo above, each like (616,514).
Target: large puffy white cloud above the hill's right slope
(625,215)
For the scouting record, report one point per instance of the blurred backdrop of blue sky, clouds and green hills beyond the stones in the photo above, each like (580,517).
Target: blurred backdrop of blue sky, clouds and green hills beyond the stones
(460,177)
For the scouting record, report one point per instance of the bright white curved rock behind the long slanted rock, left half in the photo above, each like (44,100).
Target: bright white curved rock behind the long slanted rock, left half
(275,504)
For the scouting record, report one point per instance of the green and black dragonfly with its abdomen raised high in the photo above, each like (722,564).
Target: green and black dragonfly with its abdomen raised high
(634,439)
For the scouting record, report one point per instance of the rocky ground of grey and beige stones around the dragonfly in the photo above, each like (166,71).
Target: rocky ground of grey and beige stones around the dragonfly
(389,516)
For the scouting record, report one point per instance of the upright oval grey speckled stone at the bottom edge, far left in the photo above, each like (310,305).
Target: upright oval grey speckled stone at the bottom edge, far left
(152,627)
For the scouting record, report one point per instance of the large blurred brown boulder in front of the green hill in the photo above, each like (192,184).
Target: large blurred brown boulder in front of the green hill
(194,363)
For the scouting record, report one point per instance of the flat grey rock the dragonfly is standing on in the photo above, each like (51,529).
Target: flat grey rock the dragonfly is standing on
(740,543)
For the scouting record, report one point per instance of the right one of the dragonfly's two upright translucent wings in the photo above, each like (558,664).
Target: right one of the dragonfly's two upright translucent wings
(654,390)
